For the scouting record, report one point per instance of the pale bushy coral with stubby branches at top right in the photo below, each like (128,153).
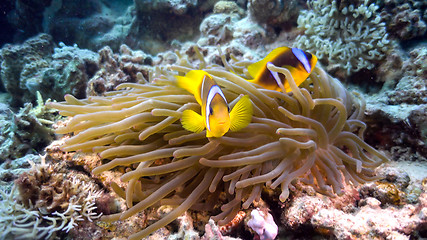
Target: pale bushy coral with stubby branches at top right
(348,36)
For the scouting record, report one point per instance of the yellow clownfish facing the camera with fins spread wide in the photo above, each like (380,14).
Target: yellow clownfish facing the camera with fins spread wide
(216,115)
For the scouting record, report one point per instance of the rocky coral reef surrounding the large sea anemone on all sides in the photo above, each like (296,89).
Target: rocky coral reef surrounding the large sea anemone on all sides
(376,49)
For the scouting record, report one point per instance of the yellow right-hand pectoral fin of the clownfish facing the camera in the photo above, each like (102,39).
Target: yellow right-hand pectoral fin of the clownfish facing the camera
(241,114)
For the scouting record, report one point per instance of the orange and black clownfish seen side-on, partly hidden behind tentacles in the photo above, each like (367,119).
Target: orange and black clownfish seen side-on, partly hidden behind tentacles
(297,61)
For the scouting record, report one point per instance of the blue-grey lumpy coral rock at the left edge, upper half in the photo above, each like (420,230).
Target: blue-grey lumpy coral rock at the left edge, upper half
(37,66)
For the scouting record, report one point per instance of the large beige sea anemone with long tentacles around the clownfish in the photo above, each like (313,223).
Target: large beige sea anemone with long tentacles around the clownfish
(314,134)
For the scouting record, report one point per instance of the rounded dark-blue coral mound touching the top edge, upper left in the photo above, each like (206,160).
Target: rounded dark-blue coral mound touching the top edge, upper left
(90,24)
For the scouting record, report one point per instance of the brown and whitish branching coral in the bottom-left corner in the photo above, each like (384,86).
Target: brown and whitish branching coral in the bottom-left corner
(50,200)
